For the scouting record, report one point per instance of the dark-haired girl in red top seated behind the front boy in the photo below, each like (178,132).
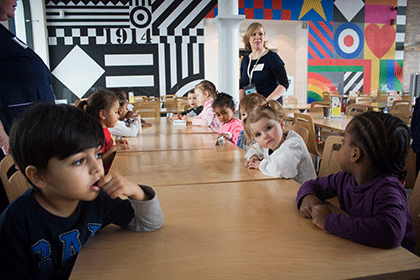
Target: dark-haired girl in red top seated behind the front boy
(104,106)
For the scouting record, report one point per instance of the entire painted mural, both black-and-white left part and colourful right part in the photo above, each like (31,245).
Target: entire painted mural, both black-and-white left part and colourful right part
(155,47)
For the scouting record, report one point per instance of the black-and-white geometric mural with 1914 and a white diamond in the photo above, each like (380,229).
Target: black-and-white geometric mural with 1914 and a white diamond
(148,47)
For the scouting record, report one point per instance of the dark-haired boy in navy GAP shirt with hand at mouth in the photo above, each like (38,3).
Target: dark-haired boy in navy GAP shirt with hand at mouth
(58,148)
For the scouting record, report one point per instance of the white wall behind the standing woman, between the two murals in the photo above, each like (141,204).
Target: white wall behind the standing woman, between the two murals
(287,37)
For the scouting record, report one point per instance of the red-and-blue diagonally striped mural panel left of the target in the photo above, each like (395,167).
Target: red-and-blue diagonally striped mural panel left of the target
(320,43)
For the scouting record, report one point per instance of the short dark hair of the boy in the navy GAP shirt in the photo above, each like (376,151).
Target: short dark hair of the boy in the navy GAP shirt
(48,130)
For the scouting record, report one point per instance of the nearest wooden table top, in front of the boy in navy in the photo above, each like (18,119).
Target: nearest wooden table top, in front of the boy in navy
(246,230)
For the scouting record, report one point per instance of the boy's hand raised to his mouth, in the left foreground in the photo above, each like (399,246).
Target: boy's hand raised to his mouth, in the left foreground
(116,185)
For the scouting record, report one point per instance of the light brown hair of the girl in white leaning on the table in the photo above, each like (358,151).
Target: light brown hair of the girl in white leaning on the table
(271,110)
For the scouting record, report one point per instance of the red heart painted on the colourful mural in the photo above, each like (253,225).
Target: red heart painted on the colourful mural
(379,39)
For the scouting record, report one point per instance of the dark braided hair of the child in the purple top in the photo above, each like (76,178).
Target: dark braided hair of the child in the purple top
(384,138)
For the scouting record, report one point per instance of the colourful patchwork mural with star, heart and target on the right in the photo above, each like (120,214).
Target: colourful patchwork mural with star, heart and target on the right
(353,44)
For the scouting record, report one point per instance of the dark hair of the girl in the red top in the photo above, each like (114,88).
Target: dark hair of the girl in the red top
(100,100)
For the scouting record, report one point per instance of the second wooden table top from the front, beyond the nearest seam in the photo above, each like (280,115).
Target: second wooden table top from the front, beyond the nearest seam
(177,167)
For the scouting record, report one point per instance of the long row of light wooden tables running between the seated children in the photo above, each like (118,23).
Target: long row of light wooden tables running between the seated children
(225,221)
